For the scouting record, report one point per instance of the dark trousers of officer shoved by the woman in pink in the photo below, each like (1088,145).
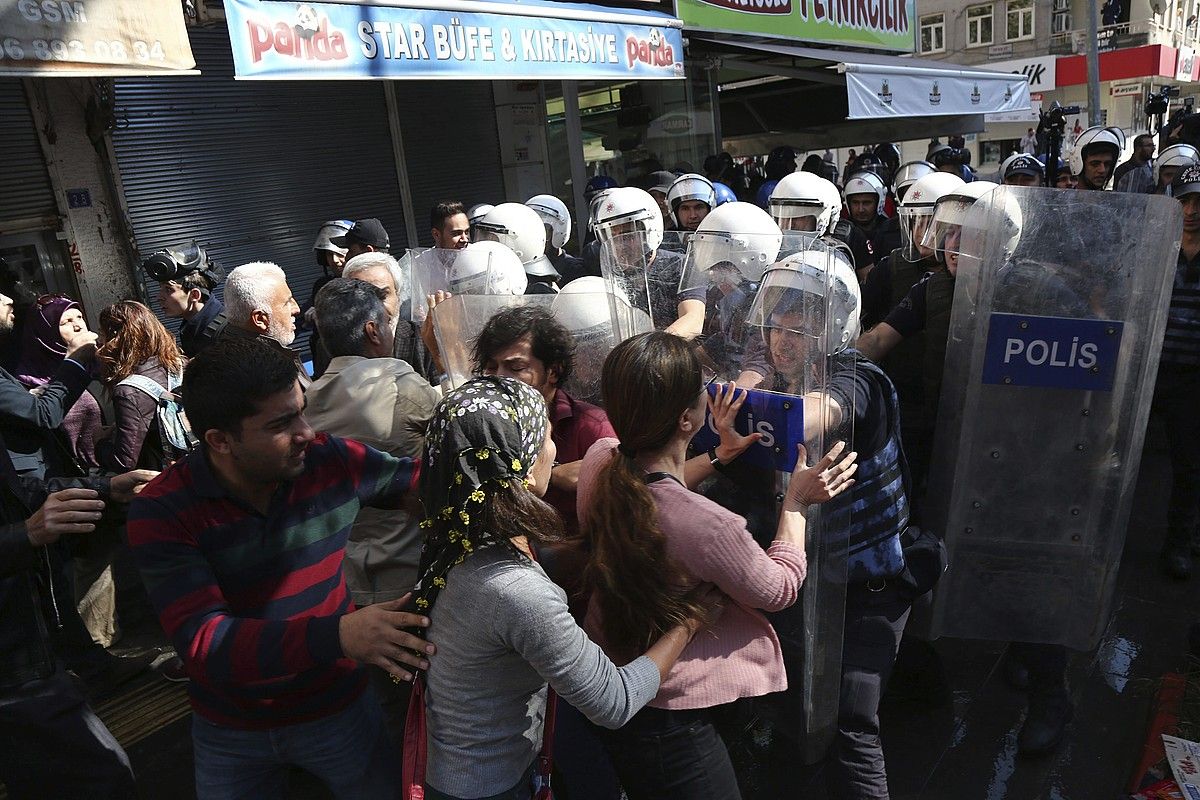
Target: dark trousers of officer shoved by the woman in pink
(875,623)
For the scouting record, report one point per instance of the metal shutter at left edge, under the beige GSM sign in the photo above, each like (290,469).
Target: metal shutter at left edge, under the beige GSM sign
(26,191)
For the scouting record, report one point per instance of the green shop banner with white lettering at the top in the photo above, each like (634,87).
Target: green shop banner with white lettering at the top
(878,25)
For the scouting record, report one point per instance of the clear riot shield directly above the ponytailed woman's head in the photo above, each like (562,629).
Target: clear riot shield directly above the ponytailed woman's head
(647,279)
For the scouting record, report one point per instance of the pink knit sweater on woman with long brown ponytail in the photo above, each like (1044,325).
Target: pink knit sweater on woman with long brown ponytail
(740,654)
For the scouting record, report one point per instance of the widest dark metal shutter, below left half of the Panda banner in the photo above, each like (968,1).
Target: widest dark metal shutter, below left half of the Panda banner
(250,170)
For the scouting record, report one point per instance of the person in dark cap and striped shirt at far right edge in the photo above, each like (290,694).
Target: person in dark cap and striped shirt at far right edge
(1179,384)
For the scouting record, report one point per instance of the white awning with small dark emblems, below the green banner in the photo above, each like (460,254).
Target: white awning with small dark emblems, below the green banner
(887,87)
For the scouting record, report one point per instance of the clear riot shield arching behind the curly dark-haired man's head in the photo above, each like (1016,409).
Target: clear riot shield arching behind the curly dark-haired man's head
(586,315)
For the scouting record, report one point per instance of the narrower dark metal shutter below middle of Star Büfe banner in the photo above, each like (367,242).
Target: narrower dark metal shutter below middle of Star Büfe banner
(451,145)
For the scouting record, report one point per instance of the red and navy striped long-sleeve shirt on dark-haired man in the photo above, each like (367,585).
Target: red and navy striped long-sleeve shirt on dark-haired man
(253,601)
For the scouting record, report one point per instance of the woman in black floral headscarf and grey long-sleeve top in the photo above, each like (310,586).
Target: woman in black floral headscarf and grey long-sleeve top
(502,628)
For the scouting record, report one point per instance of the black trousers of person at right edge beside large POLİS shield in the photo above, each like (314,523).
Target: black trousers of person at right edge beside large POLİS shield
(1175,399)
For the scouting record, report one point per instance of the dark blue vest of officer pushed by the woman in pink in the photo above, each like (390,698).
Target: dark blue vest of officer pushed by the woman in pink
(875,512)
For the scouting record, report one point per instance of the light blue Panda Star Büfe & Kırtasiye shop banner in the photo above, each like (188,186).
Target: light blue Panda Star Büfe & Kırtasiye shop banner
(305,41)
